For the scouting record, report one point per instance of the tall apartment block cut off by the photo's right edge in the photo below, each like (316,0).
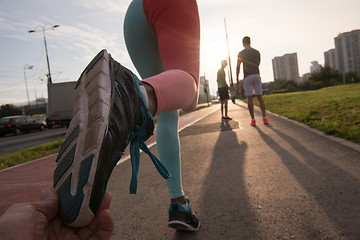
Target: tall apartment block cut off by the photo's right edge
(347,47)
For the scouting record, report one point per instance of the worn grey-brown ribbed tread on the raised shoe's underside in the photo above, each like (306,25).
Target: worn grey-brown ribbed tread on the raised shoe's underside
(89,109)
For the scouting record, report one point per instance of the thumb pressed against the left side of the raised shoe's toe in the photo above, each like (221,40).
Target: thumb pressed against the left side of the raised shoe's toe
(49,204)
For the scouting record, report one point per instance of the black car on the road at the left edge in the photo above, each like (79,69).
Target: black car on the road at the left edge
(18,124)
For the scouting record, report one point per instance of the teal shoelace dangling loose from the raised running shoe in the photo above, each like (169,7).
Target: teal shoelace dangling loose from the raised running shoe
(135,146)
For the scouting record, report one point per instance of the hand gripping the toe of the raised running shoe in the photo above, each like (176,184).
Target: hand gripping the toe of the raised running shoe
(41,220)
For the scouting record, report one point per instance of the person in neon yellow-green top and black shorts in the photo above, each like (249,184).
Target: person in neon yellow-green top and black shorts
(223,89)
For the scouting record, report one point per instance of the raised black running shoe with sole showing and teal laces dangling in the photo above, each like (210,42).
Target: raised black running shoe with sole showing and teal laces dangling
(109,113)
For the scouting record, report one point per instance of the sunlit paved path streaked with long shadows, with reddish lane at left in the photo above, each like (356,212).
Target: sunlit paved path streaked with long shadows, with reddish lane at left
(282,181)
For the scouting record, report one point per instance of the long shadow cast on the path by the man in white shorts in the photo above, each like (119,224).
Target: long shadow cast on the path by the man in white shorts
(336,192)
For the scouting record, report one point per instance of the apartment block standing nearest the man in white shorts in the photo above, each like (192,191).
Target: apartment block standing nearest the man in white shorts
(286,67)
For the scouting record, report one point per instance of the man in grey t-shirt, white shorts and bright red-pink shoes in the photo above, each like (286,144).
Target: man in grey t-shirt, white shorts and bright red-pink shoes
(250,58)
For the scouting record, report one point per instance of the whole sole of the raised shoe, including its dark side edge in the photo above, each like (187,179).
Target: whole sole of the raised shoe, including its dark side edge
(87,157)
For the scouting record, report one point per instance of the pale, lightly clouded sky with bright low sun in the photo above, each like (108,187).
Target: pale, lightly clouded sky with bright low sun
(276,27)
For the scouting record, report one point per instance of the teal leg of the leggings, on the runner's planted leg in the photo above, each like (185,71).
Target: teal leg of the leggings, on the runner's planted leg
(142,46)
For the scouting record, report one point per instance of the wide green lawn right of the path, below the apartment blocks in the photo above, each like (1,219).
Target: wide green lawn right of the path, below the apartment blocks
(333,110)
